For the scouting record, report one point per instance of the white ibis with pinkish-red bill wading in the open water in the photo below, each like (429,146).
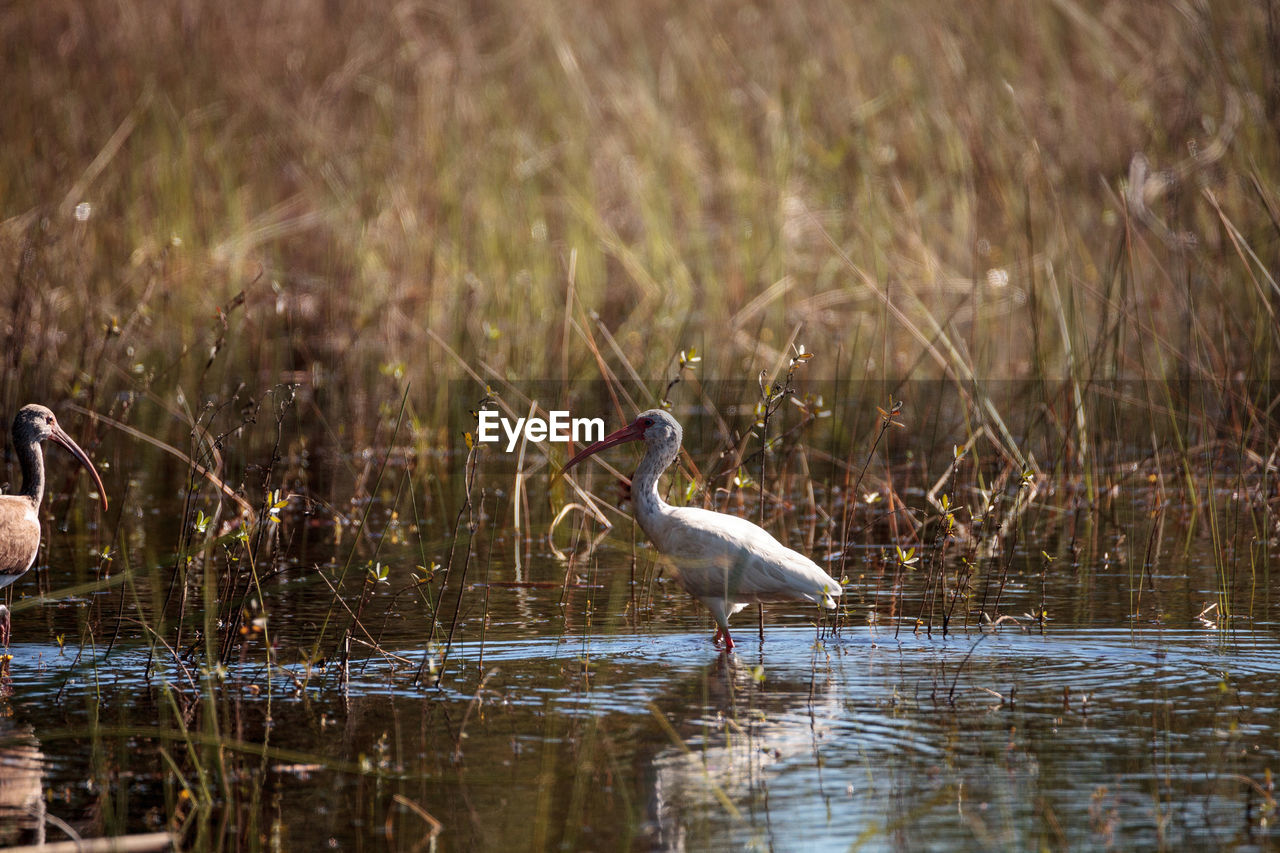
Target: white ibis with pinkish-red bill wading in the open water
(725,562)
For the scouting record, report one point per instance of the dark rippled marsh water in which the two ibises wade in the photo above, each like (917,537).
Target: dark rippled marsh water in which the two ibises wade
(579,704)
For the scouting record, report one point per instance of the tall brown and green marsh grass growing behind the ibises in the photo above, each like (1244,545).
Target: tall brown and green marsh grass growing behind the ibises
(295,249)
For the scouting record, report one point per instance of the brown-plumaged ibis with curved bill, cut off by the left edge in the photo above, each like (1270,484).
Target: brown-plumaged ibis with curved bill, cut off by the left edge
(20,517)
